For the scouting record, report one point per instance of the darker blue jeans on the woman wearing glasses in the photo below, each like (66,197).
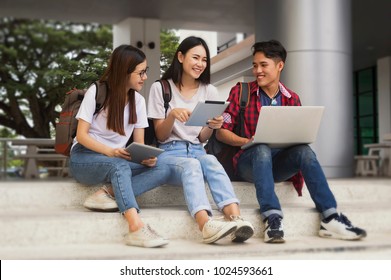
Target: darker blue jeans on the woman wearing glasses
(128,179)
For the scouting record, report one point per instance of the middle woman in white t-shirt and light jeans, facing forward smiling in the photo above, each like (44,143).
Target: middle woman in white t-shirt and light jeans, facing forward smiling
(189,77)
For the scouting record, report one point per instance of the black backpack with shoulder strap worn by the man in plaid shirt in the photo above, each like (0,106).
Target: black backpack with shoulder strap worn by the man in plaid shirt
(223,152)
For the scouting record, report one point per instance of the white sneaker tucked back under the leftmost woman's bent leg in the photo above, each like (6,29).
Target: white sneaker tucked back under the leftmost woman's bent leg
(101,202)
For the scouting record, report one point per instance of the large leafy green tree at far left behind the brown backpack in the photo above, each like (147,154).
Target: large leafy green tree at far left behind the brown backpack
(39,61)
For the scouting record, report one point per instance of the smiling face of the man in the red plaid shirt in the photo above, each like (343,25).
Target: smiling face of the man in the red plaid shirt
(267,71)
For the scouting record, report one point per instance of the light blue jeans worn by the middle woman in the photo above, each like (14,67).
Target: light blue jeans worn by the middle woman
(190,167)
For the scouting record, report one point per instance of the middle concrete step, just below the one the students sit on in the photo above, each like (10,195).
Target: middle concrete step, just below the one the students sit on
(77,225)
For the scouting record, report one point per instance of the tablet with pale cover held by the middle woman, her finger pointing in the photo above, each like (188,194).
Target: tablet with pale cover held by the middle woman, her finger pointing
(206,110)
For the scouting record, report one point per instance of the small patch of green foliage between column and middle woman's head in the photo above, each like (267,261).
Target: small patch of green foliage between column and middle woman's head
(168,44)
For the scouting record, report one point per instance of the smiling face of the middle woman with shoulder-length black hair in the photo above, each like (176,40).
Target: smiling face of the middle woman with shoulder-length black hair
(194,61)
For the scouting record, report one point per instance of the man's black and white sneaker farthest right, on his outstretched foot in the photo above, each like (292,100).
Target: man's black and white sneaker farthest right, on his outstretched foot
(339,227)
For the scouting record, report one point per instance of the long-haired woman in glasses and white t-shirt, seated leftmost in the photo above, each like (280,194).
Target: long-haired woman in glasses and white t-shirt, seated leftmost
(98,154)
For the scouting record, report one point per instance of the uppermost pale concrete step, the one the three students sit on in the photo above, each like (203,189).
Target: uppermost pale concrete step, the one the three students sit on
(67,193)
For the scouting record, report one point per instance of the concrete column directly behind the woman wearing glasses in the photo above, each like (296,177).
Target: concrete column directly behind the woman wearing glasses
(143,33)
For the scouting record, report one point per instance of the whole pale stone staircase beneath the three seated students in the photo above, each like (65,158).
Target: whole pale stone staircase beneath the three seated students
(45,220)
